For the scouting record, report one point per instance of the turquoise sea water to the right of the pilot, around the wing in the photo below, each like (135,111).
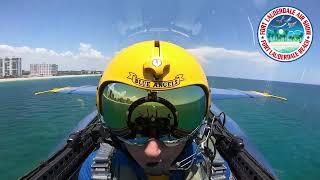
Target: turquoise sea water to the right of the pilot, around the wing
(287,133)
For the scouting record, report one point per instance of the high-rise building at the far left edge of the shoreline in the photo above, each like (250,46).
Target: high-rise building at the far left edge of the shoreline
(10,67)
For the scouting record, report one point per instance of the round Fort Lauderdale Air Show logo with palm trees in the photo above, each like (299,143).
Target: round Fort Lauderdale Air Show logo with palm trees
(285,34)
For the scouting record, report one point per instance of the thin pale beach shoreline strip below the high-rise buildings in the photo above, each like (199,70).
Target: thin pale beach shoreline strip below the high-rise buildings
(46,77)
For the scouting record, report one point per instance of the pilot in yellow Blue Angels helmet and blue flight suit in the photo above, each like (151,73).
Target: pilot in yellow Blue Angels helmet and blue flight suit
(153,99)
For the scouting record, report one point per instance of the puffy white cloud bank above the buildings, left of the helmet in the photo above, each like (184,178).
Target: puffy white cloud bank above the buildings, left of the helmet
(86,58)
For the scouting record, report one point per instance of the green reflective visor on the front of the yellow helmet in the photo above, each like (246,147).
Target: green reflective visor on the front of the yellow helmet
(125,107)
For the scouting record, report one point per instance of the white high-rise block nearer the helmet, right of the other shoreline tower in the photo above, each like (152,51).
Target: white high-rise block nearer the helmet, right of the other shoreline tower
(43,69)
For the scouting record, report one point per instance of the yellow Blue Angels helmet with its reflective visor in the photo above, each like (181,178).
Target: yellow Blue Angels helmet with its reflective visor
(153,68)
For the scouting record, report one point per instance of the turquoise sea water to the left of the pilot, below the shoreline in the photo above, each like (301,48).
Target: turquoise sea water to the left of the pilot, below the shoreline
(32,126)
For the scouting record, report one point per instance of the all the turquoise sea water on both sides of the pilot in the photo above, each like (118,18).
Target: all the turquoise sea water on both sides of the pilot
(287,133)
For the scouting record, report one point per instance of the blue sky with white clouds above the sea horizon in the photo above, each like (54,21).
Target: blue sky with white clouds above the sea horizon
(78,34)
